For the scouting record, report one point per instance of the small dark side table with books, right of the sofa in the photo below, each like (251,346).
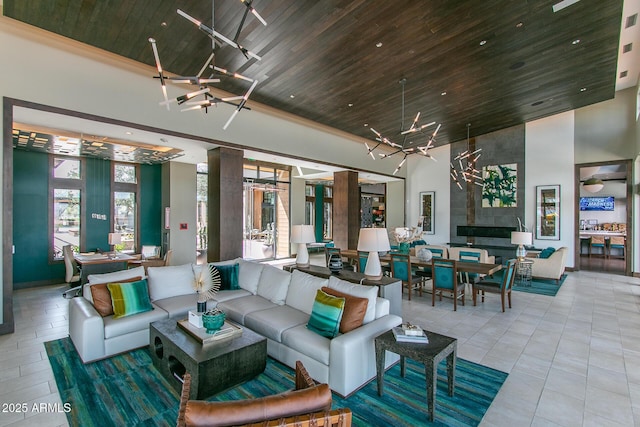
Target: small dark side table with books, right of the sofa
(431,354)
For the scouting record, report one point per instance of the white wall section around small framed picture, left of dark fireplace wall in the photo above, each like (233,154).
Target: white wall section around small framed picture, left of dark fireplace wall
(424,174)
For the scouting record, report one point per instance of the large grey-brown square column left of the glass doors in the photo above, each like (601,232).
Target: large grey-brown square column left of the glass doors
(225,204)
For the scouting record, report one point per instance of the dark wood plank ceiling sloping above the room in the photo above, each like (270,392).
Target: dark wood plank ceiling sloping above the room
(500,63)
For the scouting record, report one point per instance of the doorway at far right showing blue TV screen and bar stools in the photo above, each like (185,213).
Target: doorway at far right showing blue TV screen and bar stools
(604,217)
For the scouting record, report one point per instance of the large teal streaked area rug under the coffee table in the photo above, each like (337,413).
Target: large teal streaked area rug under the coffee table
(127,390)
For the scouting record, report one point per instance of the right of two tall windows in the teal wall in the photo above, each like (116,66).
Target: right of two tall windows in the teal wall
(125,205)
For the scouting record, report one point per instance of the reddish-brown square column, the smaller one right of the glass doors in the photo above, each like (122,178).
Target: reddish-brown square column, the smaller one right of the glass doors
(346,209)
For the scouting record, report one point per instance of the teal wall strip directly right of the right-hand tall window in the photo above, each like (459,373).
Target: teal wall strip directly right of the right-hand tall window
(151,213)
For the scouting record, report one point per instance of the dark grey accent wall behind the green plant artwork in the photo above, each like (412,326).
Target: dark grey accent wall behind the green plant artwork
(502,147)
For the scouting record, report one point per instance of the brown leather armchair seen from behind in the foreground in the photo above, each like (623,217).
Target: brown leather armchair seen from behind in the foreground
(309,404)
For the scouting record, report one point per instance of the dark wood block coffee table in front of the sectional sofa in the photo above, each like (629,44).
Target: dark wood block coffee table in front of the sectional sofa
(214,367)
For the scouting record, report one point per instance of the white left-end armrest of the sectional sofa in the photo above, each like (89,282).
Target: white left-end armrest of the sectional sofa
(86,329)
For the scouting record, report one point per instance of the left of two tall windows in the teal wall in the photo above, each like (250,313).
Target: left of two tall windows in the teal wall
(65,189)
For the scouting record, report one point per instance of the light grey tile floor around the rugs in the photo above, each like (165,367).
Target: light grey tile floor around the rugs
(573,359)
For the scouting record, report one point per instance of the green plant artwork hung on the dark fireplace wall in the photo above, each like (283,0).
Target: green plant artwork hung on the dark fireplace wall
(500,185)
